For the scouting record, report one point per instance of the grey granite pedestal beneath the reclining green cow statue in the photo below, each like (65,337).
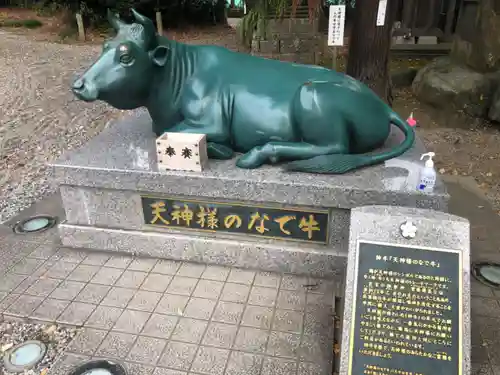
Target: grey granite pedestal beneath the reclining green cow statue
(102,184)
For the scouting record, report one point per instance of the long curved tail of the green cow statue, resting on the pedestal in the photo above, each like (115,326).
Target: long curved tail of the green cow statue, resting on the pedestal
(342,163)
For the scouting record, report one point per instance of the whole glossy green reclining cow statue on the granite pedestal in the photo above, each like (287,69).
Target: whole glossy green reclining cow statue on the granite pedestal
(312,118)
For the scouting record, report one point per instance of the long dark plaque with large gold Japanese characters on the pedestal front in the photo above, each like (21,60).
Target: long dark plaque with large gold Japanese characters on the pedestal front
(268,222)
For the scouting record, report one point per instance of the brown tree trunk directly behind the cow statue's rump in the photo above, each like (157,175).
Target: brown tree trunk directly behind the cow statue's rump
(369,48)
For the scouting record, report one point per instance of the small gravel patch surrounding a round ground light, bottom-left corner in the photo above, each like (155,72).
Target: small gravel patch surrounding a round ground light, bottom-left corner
(55,337)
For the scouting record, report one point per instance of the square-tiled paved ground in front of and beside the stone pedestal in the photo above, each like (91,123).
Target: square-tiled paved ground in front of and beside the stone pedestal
(168,318)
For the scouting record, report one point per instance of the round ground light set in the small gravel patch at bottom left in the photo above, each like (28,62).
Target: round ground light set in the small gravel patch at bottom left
(24,356)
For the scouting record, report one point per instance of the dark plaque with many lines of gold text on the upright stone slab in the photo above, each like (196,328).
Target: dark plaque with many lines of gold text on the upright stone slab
(407,311)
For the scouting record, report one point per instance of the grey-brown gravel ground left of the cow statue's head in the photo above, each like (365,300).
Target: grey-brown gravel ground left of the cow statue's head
(40,117)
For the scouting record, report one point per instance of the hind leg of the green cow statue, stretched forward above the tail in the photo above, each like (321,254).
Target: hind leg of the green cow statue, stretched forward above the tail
(275,152)
